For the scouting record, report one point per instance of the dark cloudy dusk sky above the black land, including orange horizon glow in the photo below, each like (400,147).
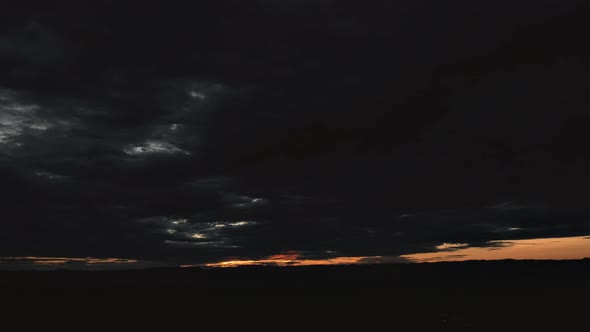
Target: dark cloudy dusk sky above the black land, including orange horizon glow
(306,131)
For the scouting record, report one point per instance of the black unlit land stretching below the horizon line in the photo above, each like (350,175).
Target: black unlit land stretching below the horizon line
(473,296)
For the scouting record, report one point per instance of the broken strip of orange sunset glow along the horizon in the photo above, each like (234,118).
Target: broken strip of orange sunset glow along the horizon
(531,249)
